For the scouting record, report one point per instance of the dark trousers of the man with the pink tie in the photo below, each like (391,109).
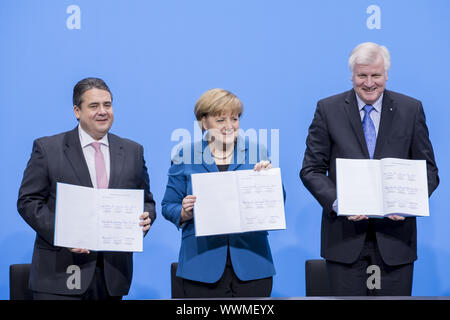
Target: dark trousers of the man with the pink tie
(97,289)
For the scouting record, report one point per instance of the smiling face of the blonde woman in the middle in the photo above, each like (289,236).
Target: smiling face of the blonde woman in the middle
(224,128)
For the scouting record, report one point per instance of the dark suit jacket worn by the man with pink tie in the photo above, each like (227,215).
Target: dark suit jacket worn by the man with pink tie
(60,158)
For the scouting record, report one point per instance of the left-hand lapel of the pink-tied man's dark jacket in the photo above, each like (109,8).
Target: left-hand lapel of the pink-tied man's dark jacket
(75,156)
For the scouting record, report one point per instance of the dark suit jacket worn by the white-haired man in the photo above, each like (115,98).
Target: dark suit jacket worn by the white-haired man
(336,132)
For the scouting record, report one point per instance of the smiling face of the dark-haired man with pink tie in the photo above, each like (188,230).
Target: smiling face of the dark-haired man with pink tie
(95,113)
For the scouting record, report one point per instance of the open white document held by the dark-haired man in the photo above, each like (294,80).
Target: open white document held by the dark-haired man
(98,219)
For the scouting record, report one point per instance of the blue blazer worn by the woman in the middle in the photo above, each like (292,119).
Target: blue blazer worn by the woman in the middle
(203,258)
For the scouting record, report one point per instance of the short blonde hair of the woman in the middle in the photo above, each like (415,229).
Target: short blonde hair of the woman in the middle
(215,102)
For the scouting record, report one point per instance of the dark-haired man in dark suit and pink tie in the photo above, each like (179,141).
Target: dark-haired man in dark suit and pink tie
(88,156)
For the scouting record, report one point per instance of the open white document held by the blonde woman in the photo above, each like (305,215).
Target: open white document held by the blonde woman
(238,201)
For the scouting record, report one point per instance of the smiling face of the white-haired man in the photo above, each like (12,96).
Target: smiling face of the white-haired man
(369,80)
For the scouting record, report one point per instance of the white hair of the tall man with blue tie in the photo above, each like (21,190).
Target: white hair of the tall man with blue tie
(367,53)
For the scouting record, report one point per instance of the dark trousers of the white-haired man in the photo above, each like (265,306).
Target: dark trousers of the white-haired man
(356,279)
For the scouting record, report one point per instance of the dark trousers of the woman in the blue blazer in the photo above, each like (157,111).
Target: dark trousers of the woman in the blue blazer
(228,286)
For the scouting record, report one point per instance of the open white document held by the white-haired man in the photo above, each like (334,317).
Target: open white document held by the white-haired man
(377,188)
